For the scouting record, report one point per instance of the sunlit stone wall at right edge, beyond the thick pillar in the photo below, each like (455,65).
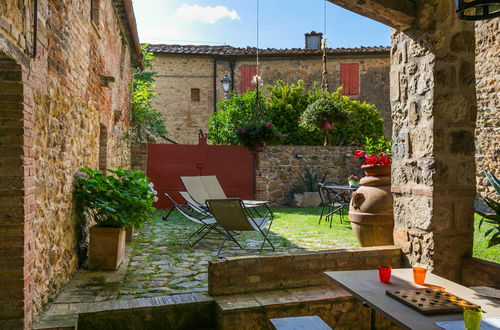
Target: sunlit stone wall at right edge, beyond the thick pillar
(488,103)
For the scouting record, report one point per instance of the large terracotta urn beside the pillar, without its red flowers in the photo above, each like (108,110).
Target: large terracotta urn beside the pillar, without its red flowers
(370,209)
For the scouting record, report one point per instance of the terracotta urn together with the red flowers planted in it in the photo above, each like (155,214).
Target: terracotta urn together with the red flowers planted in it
(371,206)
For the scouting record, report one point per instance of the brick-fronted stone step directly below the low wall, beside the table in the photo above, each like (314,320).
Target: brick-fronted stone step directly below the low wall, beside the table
(335,306)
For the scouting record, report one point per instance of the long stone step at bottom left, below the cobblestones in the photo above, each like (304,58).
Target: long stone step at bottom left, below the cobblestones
(183,311)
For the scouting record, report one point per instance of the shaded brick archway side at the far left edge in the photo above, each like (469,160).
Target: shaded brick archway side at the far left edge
(13,211)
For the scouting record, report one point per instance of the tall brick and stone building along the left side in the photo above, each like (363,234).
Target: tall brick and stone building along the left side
(65,76)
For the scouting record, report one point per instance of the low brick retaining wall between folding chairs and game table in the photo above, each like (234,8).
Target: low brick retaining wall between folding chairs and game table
(235,275)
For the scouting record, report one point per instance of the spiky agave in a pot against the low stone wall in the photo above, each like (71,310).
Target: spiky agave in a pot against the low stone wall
(307,194)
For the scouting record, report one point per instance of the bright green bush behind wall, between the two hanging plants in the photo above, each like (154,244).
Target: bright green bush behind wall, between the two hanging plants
(285,104)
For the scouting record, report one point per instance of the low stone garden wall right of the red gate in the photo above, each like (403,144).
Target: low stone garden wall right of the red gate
(278,168)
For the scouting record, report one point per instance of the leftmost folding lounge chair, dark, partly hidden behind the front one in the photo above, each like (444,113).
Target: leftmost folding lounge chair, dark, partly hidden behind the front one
(207,224)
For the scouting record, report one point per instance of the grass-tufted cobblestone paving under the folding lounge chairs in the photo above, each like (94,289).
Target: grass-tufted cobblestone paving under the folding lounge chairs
(163,263)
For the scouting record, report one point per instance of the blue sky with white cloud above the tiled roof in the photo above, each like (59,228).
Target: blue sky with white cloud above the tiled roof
(233,22)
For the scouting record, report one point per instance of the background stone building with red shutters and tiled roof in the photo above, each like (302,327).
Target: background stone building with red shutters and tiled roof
(189,78)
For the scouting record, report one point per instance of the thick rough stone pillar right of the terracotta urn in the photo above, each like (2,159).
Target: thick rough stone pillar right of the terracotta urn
(434,111)
